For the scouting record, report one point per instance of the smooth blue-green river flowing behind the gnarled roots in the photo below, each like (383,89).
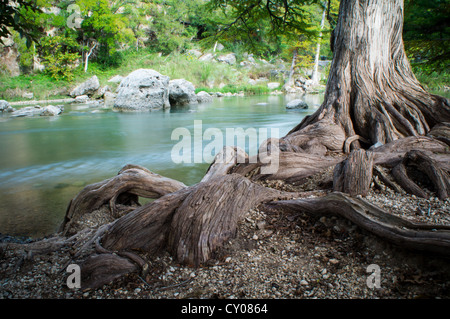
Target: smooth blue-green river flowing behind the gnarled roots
(46,161)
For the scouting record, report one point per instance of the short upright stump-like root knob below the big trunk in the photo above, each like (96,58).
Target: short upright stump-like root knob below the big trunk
(354,175)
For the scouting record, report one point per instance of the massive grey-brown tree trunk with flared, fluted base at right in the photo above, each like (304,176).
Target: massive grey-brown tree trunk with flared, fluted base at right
(371,90)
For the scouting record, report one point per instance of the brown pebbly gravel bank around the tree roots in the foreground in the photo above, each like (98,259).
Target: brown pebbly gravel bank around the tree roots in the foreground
(272,256)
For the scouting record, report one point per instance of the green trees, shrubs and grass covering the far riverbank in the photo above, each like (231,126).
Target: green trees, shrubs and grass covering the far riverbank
(65,42)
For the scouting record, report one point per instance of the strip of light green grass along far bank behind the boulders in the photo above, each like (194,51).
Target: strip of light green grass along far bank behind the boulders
(210,76)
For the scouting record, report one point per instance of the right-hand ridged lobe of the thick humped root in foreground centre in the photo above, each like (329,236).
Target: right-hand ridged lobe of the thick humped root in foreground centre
(209,216)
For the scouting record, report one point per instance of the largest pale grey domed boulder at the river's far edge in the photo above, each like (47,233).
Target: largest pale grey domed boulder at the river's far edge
(143,90)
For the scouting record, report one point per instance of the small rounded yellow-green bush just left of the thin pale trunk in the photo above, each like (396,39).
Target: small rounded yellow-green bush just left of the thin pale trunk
(59,54)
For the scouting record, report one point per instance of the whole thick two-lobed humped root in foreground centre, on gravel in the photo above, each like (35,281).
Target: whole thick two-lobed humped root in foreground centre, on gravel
(192,222)
